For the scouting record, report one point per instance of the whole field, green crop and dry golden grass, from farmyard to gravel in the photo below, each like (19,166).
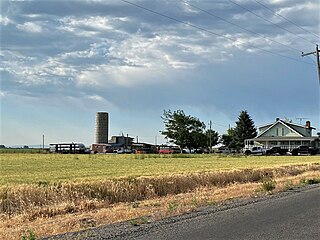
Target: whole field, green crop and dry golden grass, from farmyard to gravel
(53,193)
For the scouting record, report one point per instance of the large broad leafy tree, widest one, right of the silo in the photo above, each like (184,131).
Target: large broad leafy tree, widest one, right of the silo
(182,130)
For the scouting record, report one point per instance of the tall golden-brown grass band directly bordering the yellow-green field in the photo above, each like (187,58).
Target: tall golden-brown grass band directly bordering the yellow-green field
(47,200)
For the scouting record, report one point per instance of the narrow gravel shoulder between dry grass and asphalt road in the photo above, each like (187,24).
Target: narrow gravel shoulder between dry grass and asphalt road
(125,230)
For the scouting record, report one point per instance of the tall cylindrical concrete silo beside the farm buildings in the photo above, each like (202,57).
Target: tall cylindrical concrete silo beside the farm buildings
(102,127)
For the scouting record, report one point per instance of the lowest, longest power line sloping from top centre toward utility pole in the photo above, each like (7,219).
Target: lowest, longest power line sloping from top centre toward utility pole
(210,32)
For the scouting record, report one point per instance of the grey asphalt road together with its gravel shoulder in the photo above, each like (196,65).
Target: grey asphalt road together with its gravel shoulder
(289,215)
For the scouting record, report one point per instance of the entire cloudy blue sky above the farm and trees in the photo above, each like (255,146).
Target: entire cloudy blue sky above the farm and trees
(63,61)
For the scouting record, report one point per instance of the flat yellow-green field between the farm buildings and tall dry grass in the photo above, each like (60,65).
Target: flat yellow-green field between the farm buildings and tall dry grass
(35,168)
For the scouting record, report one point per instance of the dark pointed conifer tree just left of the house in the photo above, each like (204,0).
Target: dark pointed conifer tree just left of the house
(244,129)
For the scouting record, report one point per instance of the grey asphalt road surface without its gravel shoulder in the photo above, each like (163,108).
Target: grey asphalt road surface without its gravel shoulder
(293,216)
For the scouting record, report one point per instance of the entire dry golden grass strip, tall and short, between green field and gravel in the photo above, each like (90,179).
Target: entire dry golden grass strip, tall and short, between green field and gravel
(51,209)
